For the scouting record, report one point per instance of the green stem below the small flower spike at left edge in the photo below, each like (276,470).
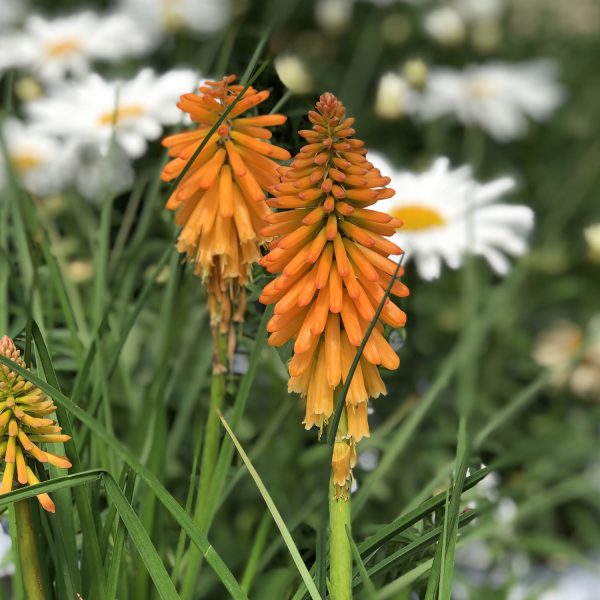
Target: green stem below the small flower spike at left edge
(27,551)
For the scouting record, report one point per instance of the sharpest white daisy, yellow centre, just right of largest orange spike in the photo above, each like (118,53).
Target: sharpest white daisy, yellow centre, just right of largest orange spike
(447,214)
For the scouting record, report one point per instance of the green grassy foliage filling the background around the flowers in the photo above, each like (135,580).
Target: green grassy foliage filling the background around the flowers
(471,424)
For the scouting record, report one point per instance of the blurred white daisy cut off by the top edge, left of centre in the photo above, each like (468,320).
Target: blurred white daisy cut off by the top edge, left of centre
(201,16)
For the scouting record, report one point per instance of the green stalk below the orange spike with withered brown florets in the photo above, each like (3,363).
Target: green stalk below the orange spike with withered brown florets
(210,452)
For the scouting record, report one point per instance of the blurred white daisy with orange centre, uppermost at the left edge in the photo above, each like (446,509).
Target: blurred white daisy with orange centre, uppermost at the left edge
(54,48)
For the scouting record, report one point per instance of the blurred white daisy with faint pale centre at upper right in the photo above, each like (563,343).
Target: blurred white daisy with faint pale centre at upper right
(496,96)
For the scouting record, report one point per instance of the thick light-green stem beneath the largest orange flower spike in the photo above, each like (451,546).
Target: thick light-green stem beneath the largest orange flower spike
(340,549)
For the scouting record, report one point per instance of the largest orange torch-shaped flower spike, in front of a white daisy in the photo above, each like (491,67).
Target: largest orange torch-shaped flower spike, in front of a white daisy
(331,254)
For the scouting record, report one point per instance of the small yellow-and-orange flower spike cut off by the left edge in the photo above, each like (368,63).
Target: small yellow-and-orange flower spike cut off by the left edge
(23,425)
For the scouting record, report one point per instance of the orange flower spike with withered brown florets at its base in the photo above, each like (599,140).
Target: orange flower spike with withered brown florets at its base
(221,200)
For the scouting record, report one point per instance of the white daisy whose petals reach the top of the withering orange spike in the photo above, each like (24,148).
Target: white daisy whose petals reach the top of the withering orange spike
(89,112)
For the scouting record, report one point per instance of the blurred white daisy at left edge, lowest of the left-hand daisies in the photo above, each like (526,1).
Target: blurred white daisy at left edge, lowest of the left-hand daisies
(40,162)
